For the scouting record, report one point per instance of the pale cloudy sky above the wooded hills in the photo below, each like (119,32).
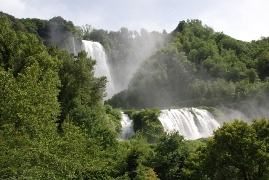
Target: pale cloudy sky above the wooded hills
(241,19)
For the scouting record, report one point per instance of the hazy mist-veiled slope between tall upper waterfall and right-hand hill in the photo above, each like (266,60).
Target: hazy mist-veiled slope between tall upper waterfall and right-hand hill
(133,48)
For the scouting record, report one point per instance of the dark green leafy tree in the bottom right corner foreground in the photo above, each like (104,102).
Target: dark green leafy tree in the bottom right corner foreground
(237,151)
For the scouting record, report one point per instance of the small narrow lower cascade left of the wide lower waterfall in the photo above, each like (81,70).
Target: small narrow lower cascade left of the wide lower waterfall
(127,127)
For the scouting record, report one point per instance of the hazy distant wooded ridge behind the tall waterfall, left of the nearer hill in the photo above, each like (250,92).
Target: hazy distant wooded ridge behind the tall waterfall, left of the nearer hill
(125,48)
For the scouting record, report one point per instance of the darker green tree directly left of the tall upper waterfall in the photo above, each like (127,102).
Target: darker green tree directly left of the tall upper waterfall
(79,86)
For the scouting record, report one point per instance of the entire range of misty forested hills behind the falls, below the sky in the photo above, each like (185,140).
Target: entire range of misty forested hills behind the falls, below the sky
(191,66)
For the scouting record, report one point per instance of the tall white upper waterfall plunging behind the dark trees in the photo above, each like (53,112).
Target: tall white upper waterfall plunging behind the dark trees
(96,51)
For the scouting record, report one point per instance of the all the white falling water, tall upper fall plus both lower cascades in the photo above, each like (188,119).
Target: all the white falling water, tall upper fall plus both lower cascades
(192,123)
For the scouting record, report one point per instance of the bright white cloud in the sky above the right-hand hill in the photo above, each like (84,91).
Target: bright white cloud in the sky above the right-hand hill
(245,20)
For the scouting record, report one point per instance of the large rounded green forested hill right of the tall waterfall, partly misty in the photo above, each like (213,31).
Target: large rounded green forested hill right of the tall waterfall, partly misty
(199,67)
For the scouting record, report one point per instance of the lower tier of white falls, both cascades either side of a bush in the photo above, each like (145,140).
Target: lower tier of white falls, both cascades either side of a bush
(192,123)
